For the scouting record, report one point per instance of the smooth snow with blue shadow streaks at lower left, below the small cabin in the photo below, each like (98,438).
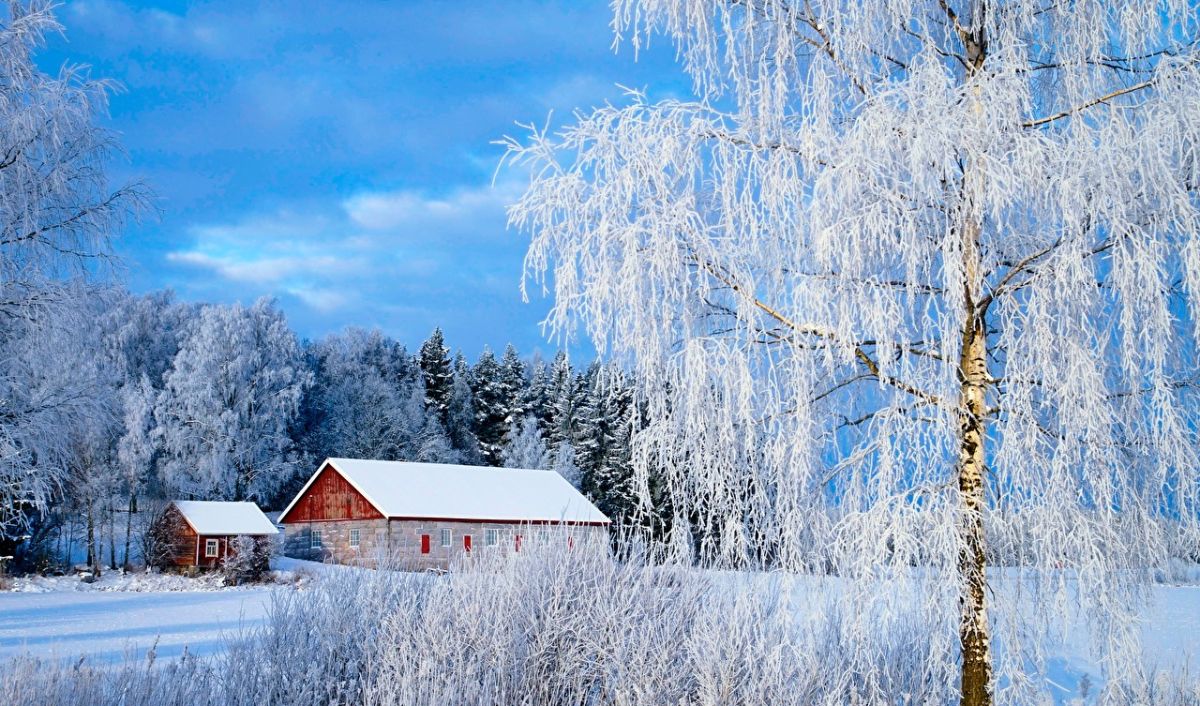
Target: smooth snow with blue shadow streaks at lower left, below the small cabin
(106,625)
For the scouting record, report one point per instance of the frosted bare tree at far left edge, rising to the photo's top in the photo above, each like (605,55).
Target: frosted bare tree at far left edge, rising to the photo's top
(57,216)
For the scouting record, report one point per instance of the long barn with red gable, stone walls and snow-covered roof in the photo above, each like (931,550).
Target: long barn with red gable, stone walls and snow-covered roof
(423,516)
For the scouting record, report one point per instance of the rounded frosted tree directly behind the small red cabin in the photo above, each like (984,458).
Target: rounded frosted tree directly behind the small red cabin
(229,403)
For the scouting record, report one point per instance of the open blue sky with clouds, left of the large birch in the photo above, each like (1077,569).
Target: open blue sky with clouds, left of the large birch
(340,155)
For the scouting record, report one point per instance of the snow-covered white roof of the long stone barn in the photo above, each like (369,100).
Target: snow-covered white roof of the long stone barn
(404,489)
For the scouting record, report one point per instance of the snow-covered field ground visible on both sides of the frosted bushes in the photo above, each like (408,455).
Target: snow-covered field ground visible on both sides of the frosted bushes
(128,615)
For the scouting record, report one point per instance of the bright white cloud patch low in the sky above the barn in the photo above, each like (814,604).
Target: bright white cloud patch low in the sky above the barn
(374,248)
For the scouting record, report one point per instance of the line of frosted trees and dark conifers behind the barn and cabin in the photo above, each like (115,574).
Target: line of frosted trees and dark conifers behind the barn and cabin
(116,404)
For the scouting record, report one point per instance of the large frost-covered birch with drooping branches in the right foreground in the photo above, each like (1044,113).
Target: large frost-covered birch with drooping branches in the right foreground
(934,264)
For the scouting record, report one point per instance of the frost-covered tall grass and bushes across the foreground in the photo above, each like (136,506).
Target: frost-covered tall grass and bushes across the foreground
(551,627)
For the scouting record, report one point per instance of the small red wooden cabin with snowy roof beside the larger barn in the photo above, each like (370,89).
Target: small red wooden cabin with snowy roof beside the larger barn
(203,534)
